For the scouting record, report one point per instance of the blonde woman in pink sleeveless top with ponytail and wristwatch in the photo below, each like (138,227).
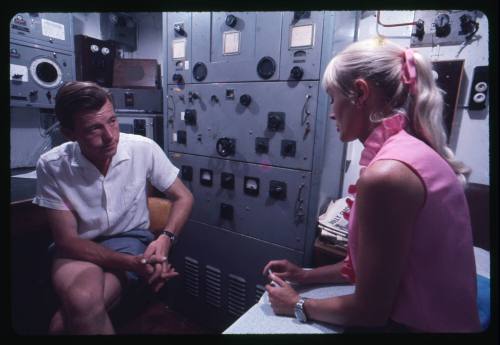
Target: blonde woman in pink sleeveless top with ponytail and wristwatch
(410,240)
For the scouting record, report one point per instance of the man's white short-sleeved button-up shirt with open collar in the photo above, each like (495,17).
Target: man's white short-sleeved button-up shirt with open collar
(104,205)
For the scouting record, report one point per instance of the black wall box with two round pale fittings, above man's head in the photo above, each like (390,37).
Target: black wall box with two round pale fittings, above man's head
(94,60)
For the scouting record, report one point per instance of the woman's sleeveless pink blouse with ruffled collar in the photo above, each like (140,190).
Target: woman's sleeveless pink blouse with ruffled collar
(437,291)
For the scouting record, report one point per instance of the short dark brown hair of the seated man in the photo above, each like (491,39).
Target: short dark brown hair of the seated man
(79,97)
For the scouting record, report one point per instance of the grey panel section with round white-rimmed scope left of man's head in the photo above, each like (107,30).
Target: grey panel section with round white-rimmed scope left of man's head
(37,73)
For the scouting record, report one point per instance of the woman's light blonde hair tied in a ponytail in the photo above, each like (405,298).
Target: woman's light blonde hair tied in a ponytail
(381,62)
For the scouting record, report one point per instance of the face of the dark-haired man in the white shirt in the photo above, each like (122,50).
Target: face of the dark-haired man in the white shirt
(97,133)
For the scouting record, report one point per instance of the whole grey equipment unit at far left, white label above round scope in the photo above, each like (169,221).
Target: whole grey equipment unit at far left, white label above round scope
(41,57)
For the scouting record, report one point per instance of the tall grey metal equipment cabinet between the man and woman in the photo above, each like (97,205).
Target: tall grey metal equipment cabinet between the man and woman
(242,124)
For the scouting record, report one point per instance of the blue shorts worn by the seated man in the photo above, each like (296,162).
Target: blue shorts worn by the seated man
(133,242)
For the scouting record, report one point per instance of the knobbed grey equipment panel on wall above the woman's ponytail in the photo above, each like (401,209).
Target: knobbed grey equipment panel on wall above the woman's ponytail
(443,27)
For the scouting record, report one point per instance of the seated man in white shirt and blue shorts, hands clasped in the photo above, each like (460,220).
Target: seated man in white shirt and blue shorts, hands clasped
(94,191)
